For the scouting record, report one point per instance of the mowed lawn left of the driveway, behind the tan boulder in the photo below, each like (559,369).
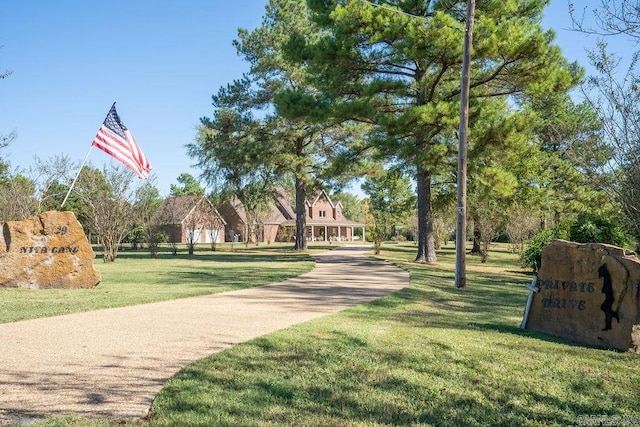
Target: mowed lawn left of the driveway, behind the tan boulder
(136,278)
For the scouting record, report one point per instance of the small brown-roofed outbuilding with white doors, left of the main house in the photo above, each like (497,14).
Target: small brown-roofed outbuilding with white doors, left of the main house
(190,219)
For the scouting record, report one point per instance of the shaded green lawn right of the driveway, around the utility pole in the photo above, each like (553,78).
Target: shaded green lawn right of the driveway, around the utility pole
(427,355)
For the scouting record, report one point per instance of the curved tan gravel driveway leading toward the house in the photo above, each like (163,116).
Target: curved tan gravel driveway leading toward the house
(111,363)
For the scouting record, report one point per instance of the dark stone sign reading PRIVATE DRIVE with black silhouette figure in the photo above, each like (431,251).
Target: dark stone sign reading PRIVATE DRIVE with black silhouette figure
(589,294)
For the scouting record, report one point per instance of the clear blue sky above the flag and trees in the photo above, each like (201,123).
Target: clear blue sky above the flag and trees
(161,61)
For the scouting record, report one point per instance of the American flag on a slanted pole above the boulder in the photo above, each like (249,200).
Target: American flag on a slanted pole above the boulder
(115,139)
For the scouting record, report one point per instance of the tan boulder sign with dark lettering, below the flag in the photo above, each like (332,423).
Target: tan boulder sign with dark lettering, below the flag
(47,251)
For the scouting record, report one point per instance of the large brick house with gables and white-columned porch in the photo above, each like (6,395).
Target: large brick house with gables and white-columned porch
(277,222)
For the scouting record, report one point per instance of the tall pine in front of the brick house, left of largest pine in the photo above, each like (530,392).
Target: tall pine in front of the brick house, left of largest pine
(298,147)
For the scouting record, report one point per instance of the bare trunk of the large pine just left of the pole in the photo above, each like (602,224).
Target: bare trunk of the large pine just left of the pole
(426,243)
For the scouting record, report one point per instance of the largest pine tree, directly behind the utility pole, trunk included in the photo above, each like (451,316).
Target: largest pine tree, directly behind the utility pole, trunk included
(397,64)
